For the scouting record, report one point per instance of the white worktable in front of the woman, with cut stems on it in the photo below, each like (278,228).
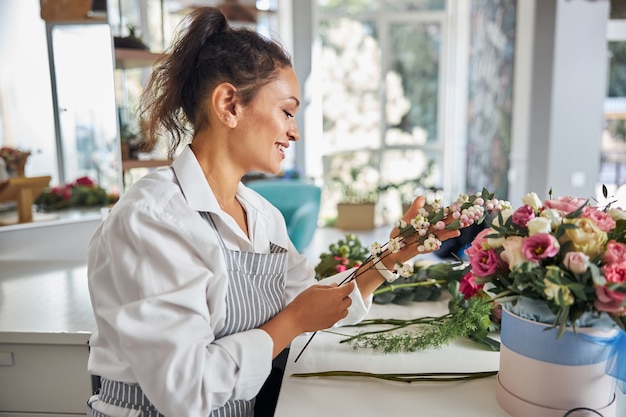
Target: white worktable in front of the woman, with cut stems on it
(315,397)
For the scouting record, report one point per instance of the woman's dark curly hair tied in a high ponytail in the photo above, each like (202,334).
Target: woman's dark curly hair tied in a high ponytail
(206,51)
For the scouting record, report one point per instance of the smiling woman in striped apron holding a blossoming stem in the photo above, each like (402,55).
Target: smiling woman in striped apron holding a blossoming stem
(194,283)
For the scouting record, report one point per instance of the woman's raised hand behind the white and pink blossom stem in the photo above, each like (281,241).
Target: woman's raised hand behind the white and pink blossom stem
(409,251)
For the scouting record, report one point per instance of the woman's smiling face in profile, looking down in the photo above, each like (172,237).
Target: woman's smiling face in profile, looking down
(267,125)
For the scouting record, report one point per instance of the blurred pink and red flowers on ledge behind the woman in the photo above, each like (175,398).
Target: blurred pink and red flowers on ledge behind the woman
(83,192)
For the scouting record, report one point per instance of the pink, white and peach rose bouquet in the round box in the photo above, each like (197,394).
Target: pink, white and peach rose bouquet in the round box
(564,256)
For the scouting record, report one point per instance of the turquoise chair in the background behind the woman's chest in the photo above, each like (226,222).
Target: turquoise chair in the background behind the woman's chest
(298,201)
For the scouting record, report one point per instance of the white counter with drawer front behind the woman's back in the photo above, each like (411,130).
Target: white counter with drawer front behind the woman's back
(45,324)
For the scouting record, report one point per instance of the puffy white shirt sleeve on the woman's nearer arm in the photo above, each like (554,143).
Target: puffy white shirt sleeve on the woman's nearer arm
(156,297)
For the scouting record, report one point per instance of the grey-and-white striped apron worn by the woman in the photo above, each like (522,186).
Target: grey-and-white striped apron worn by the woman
(256,284)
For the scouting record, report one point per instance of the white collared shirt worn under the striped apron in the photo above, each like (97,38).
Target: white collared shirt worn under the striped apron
(158,281)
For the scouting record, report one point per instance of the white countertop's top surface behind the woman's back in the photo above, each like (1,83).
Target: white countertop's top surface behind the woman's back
(44,302)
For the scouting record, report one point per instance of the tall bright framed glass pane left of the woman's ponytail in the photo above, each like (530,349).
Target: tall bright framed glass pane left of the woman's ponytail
(82,65)
